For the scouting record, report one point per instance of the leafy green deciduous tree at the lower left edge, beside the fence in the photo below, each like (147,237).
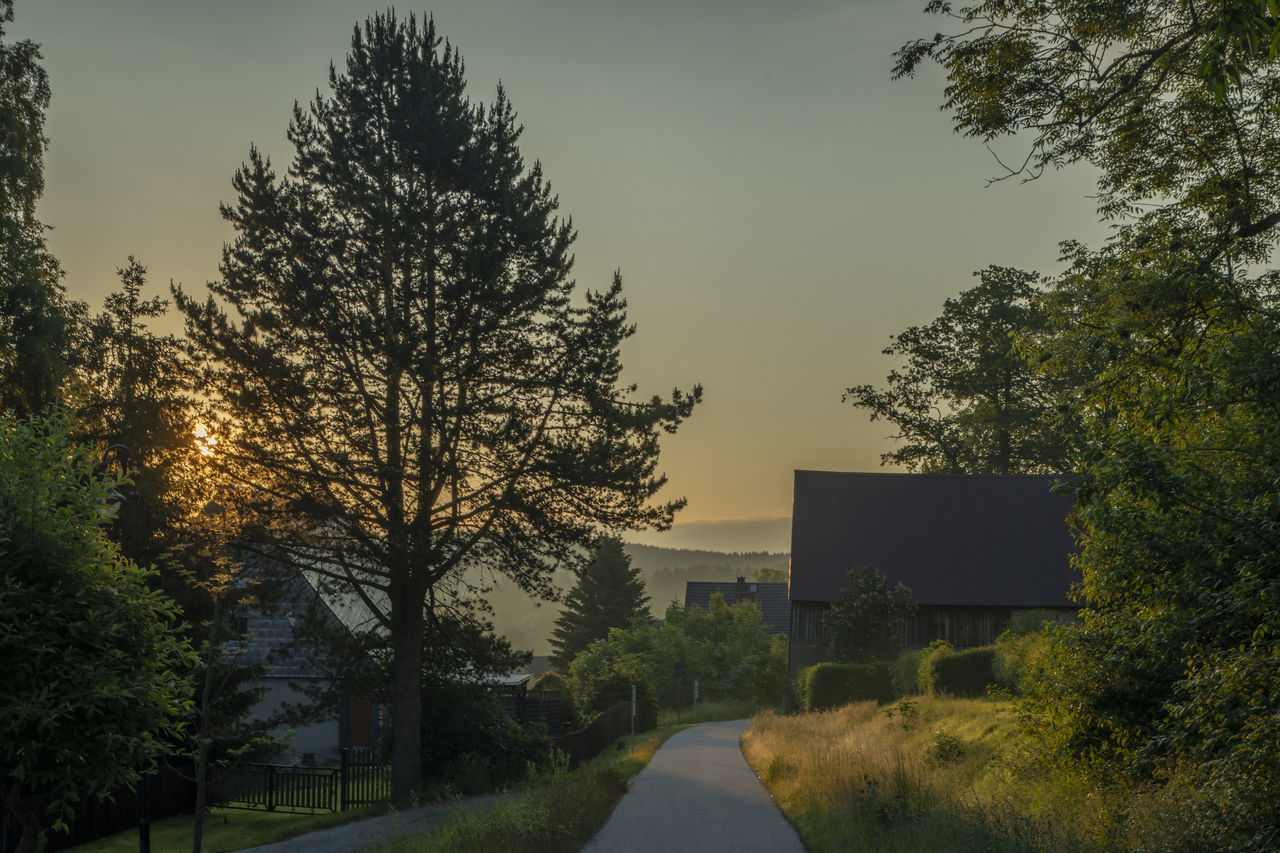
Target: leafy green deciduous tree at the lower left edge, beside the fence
(90,658)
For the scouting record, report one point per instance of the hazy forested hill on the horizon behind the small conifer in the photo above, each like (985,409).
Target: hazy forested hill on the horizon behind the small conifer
(529,624)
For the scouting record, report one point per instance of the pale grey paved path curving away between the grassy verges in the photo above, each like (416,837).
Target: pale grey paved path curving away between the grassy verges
(698,793)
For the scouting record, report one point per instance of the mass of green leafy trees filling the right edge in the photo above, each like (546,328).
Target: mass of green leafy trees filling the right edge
(1172,672)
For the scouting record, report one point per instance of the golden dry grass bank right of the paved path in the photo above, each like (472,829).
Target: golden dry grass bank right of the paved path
(939,774)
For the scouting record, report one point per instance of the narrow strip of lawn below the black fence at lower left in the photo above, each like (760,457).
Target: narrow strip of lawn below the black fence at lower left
(226,831)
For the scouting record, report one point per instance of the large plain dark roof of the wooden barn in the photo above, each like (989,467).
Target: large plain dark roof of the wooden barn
(954,540)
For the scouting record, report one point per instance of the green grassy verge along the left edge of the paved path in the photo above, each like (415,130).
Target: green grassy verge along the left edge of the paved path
(559,811)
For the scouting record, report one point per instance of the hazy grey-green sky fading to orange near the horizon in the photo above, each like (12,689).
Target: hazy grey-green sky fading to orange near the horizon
(776,204)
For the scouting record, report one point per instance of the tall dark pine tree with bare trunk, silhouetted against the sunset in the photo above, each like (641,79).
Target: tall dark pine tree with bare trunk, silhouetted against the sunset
(406,373)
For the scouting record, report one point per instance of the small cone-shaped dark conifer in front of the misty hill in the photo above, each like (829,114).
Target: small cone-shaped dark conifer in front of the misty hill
(610,594)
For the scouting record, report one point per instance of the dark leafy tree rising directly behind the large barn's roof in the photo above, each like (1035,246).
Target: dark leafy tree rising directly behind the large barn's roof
(968,402)
